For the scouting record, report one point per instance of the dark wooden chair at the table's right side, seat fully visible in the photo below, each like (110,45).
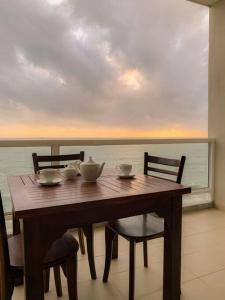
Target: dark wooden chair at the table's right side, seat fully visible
(143,227)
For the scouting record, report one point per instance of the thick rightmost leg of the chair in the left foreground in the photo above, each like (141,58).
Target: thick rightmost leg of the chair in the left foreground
(71,273)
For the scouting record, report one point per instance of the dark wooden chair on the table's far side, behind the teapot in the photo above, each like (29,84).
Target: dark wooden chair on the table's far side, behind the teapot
(56,163)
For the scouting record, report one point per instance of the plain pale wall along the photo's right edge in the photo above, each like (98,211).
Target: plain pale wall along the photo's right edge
(217,96)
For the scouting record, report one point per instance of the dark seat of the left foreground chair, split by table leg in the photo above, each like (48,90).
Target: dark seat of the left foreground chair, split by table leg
(59,251)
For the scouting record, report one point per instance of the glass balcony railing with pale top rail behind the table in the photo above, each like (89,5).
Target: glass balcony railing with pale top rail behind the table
(15,158)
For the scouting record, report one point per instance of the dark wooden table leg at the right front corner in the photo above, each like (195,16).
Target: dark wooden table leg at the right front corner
(172,250)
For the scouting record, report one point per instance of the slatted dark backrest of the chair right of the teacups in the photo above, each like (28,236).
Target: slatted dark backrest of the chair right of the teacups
(176,163)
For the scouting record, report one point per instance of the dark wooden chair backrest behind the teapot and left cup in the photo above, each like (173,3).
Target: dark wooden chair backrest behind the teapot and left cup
(54,158)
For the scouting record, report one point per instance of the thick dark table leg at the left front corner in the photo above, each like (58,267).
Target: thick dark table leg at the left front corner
(33,256)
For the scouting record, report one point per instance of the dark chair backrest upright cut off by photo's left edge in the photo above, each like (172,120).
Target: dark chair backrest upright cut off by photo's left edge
(4,257)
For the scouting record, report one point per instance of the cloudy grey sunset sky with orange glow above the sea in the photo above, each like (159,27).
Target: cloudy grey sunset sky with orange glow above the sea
(103,68)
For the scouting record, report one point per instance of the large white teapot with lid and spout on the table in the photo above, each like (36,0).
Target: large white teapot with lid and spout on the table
(91,170)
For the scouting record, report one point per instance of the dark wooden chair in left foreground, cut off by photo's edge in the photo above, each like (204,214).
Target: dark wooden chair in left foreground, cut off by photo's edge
(63,252)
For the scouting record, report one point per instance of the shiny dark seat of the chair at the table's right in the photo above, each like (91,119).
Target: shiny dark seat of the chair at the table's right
(139,227)
